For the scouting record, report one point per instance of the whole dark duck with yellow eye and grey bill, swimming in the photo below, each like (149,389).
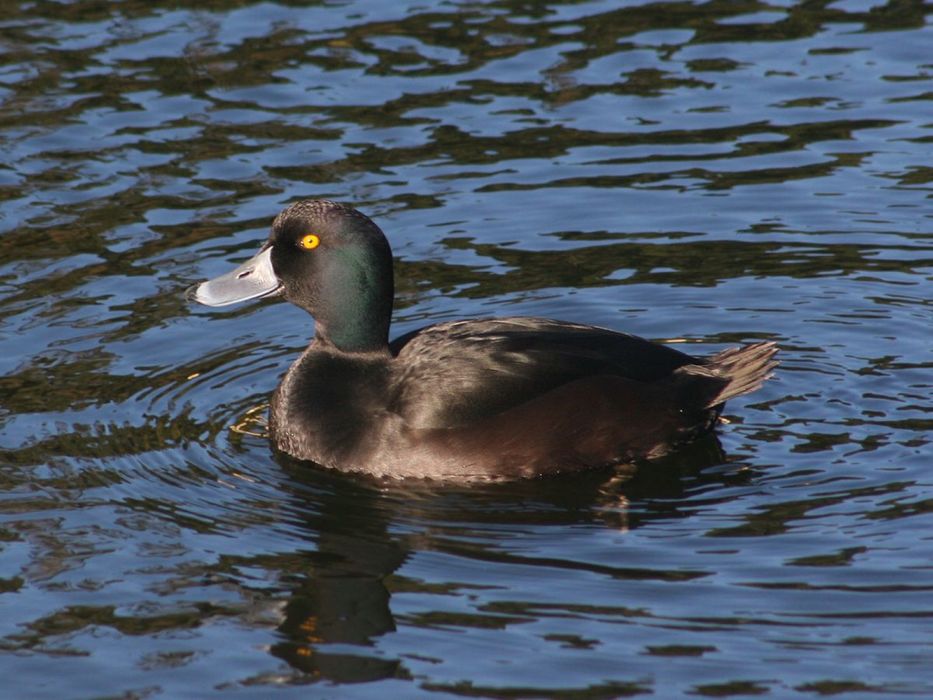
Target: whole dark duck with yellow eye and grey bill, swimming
(479,399)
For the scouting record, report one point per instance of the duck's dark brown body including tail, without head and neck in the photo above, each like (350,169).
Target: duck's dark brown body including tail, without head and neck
(504,398)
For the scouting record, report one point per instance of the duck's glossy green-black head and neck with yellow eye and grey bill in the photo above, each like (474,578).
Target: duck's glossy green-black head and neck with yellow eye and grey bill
(328,259)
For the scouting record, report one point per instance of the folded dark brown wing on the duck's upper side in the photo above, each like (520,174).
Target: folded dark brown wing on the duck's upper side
(453,374)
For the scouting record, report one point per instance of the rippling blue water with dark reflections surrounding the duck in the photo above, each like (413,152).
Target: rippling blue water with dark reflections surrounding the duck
(709,172)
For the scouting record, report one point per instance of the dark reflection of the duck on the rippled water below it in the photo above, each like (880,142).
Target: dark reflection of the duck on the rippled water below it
(361,533)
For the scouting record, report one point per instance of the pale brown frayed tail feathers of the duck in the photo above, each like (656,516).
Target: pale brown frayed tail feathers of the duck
(739,371)
